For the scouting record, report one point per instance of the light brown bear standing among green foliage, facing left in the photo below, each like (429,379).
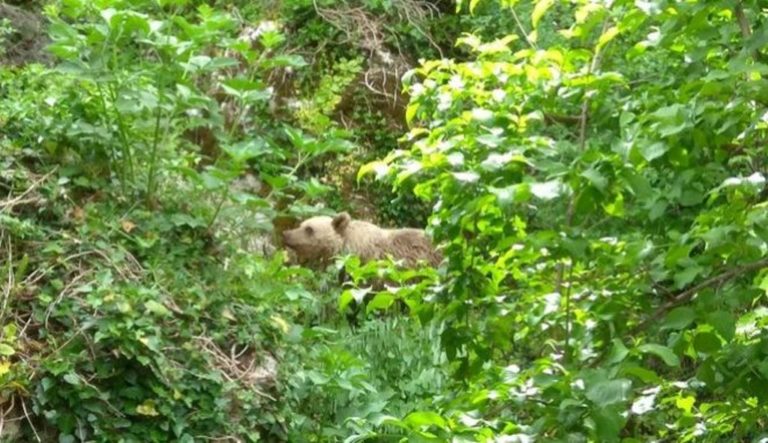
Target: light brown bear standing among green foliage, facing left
(318,239)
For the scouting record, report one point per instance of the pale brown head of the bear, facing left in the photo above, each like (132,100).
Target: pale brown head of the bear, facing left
(317,239)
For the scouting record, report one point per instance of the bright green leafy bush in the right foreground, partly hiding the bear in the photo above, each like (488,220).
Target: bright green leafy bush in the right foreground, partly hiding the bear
(599,197)
